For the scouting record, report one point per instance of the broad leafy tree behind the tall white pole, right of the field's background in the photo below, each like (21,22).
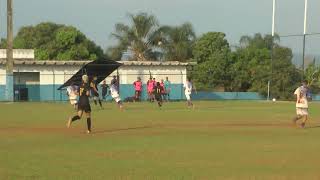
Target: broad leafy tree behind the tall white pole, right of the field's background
(253,63)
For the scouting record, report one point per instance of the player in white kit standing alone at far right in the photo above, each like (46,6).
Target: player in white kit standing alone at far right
(301,104)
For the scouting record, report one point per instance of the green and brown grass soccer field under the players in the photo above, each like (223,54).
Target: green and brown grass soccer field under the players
(217,140)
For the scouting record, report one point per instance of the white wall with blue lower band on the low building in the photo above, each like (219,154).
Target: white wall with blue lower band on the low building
(52,77)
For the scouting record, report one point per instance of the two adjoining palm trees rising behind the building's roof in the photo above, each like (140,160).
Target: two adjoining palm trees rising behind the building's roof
(146,40)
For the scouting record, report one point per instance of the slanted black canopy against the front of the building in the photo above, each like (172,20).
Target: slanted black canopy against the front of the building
(99,68)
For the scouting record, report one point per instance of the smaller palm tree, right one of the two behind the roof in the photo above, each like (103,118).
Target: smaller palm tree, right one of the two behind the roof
(176,41)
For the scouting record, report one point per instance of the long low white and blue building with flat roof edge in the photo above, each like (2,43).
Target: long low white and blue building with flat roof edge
(39,80)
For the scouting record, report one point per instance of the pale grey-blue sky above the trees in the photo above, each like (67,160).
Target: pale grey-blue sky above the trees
(96,18)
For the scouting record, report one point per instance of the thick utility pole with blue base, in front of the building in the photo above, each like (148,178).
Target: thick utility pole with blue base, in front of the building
(9,63)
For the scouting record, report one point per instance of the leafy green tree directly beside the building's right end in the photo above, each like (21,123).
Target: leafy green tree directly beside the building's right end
(212,52)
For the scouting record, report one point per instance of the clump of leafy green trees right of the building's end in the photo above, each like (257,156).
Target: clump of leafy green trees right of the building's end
(248,68)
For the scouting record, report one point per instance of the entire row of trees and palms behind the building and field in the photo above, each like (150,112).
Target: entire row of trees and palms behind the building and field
(220,66)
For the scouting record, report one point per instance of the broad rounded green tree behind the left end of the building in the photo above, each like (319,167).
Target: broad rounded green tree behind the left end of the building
(56,42)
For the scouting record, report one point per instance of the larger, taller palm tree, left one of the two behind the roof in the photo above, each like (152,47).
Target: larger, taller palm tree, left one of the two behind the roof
(136,38)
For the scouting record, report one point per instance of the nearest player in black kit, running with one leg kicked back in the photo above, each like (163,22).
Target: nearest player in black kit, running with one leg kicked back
(84,104)
